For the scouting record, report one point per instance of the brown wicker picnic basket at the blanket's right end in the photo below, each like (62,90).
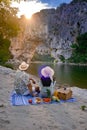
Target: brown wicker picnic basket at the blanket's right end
(64,93)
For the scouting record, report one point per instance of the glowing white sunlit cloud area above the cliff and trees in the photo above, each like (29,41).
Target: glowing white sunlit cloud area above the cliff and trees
(29,8)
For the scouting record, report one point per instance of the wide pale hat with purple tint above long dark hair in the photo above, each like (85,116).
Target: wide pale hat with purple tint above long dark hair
(47,72)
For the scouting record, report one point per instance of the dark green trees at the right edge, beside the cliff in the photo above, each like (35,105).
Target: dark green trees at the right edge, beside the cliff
(79,54)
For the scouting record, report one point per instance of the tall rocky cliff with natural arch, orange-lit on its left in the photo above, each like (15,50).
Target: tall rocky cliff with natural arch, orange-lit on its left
(52,31)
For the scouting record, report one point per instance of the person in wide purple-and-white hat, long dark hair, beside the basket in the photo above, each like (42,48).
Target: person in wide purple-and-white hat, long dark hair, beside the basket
(47,81)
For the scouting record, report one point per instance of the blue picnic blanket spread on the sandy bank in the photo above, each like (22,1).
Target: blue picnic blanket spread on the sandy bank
(20,100)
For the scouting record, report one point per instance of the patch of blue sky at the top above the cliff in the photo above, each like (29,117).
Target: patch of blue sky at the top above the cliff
(55,3)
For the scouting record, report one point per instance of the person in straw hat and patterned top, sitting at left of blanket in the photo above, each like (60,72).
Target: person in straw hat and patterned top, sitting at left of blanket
(23,84)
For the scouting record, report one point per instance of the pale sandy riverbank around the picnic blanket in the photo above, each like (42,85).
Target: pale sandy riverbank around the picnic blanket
(65,116)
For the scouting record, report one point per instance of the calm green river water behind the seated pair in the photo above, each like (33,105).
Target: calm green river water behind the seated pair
(73,75)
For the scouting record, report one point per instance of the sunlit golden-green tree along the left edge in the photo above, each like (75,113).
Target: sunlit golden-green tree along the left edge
(9,27)
